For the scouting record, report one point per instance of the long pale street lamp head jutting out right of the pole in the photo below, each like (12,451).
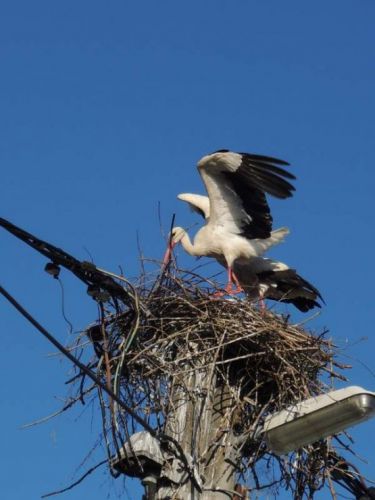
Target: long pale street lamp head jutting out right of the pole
(317,417)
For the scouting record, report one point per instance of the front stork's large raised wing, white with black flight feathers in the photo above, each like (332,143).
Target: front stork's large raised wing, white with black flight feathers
(237,184)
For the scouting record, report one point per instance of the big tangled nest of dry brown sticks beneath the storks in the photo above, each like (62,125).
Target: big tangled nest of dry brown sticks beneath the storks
(258,352)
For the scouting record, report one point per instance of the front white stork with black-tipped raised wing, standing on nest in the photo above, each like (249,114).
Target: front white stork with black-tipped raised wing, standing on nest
(239,223)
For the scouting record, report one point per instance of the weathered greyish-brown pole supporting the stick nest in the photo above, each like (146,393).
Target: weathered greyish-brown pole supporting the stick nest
(200,420)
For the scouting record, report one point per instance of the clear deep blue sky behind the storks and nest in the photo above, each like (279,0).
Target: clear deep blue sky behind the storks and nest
(105,110)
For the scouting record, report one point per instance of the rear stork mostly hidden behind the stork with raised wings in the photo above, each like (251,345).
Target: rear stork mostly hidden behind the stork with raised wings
(260,277)
